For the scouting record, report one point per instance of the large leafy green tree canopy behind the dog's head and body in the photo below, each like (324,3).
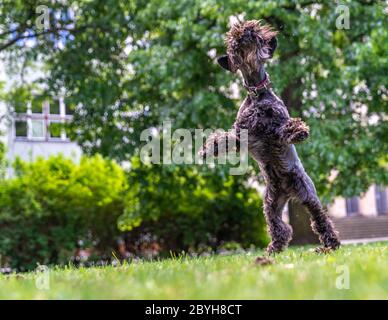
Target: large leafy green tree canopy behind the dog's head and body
(127,66)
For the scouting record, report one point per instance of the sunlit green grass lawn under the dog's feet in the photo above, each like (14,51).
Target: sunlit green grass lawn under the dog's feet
(298,273)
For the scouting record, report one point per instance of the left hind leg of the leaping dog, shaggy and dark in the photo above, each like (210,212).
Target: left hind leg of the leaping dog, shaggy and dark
(280,232)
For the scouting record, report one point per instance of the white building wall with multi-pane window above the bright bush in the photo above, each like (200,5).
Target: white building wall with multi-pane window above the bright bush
(36,129)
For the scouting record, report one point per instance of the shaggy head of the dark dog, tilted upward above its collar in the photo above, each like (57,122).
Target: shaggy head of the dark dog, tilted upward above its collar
(249,44)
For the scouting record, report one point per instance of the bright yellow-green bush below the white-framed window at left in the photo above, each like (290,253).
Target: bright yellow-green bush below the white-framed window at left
(52,204)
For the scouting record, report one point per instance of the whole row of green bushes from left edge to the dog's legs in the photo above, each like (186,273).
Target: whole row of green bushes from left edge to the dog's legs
(50,205)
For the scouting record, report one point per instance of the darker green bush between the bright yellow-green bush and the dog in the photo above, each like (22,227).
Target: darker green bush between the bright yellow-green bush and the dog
(185,208)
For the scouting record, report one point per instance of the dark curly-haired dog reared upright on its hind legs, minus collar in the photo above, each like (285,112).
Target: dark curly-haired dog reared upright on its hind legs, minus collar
(272,134)
